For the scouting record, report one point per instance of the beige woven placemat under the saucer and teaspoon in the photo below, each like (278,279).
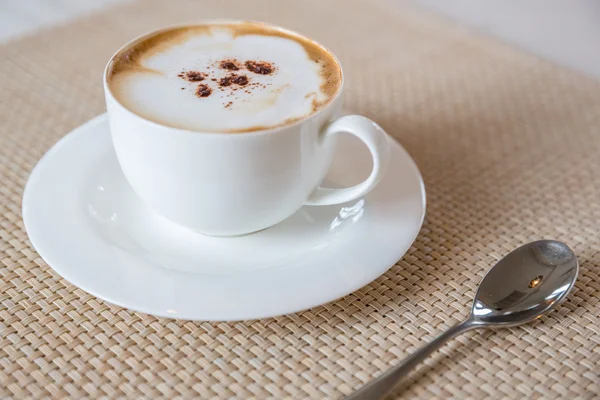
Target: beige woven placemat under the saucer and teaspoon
(509,146)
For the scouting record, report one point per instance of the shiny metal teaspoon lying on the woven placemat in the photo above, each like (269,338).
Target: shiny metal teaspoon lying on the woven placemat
(522,286)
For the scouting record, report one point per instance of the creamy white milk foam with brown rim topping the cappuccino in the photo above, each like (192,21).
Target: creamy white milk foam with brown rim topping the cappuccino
(301,83)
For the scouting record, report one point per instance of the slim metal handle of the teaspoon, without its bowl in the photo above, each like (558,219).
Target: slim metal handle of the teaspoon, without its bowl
(386,382)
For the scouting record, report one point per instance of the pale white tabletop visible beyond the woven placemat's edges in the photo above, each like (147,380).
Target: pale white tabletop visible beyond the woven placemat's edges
(567,32)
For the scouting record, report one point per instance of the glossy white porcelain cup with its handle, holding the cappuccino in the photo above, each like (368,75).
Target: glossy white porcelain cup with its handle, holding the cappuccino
(227,184)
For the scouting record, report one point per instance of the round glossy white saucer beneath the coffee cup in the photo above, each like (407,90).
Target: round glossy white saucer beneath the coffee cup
(89,226)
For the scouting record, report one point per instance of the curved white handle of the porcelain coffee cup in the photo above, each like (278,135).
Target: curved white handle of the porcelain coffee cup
(378,144)
